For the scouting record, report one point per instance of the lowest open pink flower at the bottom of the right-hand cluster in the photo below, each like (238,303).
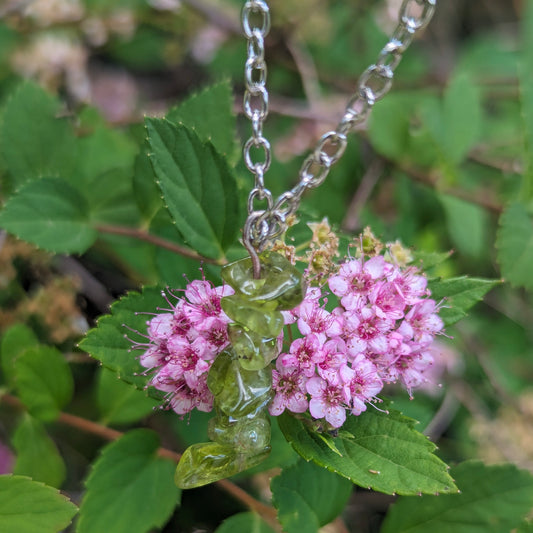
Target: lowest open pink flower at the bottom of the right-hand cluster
(327,401)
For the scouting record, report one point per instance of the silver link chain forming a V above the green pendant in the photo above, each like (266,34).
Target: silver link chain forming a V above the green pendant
(264,225)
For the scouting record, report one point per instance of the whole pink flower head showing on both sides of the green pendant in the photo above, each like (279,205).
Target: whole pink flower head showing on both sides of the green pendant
(380,332)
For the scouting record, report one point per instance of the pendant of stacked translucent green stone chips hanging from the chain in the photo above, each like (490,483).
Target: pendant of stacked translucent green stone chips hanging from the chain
(240,378)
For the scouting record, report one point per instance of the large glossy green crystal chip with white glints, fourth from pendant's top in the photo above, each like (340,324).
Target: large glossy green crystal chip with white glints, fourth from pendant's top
(238,392)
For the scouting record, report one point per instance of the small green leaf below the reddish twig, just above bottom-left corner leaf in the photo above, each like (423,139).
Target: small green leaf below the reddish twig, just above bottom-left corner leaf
(37,455)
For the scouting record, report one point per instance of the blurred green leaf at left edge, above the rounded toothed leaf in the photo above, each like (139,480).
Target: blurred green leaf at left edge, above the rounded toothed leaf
(33,140)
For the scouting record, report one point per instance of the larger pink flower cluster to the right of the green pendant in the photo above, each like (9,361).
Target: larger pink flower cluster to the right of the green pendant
(380,332)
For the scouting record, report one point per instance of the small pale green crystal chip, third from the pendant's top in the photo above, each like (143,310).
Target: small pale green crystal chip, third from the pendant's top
(254,352)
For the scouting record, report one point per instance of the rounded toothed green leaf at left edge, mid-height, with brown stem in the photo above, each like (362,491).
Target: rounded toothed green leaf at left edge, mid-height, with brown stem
(51,214)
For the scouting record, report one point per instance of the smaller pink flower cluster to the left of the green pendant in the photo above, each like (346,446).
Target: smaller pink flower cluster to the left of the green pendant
(183,344)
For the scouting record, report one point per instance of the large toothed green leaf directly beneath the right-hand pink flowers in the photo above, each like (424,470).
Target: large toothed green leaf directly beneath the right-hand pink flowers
(380,451)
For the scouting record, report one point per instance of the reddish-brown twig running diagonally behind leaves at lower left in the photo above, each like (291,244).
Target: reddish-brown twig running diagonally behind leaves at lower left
(88,426)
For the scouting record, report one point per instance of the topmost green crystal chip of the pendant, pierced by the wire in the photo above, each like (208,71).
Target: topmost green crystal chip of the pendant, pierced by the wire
(280,281)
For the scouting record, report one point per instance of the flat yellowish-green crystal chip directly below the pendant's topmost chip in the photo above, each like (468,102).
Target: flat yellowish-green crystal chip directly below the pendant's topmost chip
(261,318)
